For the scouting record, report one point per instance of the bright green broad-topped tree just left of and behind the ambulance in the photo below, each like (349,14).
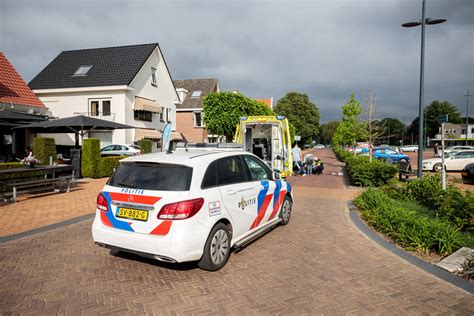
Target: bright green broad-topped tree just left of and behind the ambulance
(222,111)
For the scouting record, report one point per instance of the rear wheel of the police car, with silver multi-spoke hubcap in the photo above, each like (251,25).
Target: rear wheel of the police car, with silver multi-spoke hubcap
(217,249)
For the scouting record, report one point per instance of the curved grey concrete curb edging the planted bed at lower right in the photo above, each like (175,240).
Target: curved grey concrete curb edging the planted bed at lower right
(425,266)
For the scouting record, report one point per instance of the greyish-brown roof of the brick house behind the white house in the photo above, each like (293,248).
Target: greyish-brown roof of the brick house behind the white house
(206,86)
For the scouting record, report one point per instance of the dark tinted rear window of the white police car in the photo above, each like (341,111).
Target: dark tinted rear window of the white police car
(152,176)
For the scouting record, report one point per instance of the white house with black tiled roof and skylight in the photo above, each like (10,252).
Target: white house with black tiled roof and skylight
(128,84)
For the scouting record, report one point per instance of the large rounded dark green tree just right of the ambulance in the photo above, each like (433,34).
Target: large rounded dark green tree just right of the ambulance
(301,112)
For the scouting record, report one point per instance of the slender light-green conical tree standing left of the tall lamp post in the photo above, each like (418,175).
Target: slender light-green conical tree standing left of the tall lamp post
(351,128)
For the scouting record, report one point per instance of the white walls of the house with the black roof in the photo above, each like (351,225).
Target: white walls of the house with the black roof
(64,104)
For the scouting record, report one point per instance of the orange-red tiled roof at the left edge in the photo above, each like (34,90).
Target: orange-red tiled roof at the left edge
(13,89)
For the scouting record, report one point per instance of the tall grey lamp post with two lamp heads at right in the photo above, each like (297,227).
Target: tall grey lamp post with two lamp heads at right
(423,22)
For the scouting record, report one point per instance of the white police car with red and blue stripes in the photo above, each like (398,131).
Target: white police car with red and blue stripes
(190,205)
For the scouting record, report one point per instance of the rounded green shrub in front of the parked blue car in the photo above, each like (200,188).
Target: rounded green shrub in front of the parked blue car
(365,173)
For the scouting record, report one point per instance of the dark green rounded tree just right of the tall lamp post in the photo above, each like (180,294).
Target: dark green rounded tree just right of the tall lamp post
(437,109)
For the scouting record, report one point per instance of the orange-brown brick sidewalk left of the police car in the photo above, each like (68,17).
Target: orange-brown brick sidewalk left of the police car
(39,210)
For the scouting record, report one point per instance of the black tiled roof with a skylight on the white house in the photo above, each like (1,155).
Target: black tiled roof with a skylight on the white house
(111,66)
